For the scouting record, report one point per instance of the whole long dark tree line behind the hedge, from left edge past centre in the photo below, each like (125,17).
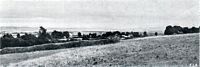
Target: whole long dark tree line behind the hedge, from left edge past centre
(43,37)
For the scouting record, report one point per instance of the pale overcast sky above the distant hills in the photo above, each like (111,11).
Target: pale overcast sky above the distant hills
(99,13)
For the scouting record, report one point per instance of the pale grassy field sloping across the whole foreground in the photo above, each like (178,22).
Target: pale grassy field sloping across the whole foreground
(156,51)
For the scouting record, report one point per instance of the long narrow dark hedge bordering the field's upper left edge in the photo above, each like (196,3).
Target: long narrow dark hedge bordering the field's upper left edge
(52,46)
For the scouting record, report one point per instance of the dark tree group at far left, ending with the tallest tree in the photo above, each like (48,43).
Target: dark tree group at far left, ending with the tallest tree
(25,40)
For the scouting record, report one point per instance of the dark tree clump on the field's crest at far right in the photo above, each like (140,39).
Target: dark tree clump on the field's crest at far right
(180,30)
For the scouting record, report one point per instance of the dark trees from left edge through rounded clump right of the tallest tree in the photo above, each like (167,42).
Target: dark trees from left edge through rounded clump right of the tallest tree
(29,39)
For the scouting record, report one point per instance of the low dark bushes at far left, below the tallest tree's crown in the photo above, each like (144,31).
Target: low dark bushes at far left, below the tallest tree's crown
(27,40)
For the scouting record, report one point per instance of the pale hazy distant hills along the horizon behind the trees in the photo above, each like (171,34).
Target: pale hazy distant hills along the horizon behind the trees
(35,29)
